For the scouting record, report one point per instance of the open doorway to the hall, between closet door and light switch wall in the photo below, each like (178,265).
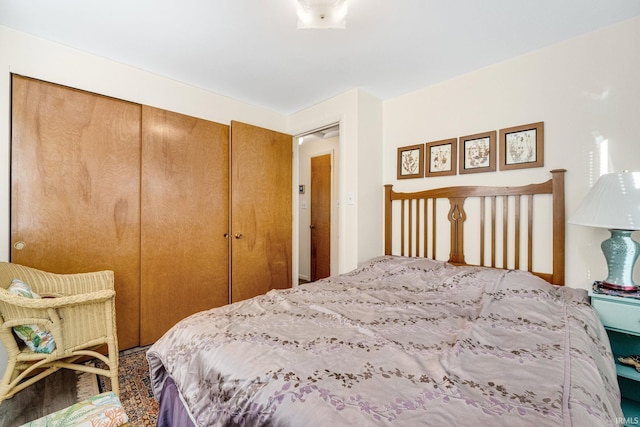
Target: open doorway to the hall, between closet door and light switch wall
(318,210)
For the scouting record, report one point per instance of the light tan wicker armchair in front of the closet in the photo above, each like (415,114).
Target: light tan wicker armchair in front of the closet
(78,310)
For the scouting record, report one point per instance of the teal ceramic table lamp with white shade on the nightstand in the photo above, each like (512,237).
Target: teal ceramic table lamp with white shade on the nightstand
(614,203)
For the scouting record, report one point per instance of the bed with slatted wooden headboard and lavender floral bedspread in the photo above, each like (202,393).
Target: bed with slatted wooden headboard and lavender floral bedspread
(406,339)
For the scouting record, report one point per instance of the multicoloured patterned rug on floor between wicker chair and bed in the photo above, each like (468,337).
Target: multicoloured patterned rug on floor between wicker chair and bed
(135,387)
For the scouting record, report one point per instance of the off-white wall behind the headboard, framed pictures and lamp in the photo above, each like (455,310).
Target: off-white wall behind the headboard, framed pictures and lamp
(586,90)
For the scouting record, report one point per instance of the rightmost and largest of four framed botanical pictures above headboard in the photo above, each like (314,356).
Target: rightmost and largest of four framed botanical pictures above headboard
(522,146)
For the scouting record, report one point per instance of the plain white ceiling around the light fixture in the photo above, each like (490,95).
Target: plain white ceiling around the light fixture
(252,51)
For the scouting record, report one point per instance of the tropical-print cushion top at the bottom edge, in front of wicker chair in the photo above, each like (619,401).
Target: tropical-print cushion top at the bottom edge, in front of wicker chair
(103,410)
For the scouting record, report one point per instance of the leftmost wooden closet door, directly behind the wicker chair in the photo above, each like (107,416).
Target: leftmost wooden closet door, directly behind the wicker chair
(75,192)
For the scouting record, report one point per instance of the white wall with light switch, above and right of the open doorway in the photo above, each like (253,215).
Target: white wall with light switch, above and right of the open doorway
(360,163)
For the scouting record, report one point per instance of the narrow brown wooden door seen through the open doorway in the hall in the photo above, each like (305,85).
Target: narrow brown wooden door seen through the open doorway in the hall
(320,217)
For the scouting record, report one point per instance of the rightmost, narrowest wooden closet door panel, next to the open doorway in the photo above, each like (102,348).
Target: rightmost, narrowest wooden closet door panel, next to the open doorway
(261,218)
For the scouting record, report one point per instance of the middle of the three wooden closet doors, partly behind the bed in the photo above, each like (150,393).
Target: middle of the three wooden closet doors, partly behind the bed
(185,219)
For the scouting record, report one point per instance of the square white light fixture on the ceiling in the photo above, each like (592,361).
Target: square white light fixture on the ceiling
(322,14)
